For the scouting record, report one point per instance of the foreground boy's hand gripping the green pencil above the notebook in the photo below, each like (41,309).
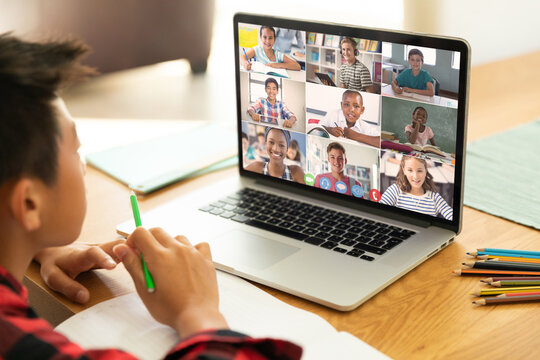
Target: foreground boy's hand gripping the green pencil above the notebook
(186,294)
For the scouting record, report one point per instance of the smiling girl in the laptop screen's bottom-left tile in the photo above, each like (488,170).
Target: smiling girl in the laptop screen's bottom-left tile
(277,144)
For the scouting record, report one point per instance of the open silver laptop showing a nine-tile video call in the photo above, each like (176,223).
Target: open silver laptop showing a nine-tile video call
(335,219)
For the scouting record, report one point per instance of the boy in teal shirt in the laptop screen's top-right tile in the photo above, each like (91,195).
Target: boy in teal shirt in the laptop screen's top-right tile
(415,79)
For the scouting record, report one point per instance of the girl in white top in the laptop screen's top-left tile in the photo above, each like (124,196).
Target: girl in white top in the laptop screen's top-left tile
(266,54)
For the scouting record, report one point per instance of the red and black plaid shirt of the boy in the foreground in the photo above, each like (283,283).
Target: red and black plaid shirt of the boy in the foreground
(23,335)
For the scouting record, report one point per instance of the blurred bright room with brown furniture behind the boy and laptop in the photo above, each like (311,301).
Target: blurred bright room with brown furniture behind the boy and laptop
(186,47)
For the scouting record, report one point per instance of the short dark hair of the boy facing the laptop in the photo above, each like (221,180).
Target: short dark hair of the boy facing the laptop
(30,76)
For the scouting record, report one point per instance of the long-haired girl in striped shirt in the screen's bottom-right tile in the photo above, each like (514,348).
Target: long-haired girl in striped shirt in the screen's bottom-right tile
(415,190)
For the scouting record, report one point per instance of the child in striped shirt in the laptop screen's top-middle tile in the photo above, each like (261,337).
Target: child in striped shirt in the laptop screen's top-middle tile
(353,74)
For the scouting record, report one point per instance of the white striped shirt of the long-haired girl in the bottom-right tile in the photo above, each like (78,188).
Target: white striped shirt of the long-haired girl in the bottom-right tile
(431,203)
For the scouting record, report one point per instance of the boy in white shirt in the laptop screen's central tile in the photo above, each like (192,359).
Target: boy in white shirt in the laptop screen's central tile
(346,121)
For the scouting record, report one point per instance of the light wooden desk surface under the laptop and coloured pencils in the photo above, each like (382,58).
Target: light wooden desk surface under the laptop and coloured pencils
(428,312)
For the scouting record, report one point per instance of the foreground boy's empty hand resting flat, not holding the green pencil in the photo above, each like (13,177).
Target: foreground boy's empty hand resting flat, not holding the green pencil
(60,266)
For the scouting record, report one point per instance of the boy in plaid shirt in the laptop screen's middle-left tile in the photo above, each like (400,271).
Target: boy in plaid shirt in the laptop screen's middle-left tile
(269,110)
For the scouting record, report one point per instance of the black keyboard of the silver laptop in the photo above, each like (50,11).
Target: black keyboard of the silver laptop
(333,230)
